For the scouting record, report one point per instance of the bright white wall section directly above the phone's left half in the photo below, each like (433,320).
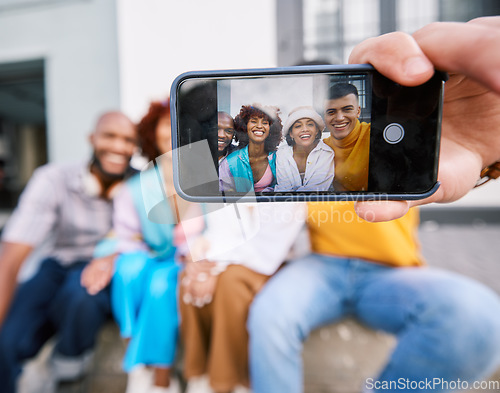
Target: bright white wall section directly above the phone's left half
(160,39)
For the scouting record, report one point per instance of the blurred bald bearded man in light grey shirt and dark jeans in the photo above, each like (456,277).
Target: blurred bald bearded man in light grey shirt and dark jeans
(70,205)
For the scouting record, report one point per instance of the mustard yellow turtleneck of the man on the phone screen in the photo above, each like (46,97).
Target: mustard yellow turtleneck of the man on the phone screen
(351,159)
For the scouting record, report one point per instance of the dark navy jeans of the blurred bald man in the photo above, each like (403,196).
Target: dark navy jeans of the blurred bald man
(51,302)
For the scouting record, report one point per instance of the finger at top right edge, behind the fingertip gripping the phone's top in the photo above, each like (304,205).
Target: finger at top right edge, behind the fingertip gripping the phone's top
(472,50)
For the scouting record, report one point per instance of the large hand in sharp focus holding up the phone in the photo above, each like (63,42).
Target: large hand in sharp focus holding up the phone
(469,53)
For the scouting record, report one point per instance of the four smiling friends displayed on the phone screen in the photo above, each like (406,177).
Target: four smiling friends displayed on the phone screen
(257,152)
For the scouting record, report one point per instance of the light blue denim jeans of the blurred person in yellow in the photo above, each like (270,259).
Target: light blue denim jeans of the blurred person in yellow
(447,326)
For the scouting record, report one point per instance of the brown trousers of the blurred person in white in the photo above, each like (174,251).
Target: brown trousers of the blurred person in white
(215,337)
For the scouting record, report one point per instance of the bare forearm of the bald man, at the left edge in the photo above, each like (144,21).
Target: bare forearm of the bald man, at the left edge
(12,256)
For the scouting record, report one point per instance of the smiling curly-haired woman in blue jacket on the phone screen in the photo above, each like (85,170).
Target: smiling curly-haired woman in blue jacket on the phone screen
(253,166)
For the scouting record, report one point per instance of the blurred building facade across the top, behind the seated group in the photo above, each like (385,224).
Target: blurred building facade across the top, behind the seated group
(63,62)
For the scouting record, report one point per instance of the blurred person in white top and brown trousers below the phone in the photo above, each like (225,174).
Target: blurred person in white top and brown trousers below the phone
(233,259)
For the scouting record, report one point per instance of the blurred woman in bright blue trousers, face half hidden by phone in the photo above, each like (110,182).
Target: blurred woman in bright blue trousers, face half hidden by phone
(144,283)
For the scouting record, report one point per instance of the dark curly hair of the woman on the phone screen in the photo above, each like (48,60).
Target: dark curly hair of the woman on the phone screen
(246,112)
